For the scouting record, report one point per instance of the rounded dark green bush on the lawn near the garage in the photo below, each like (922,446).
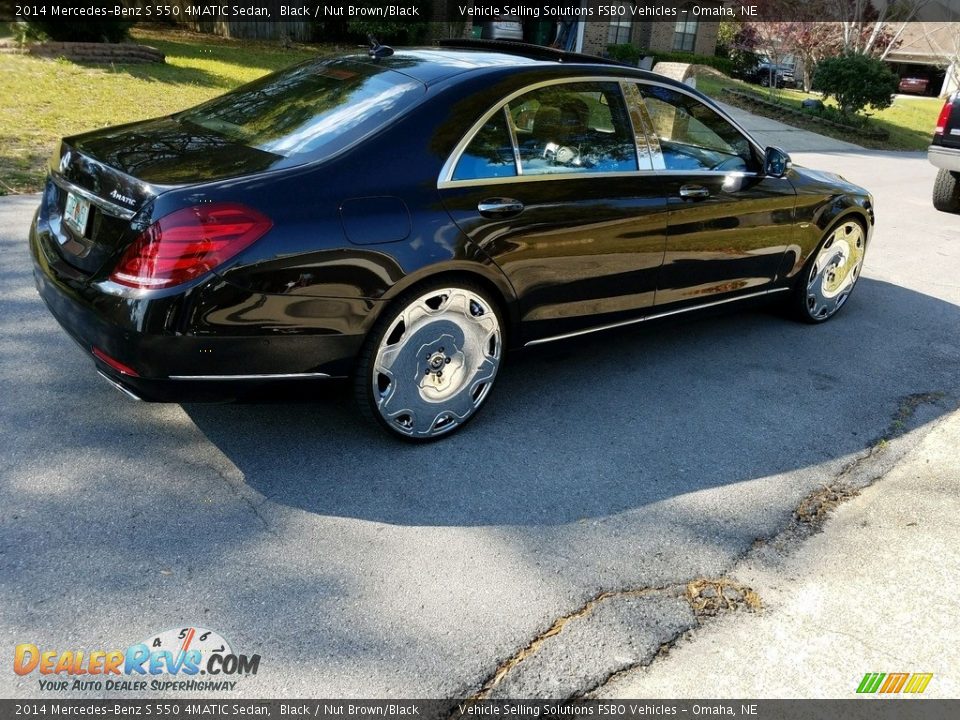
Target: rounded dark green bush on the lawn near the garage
(856,81)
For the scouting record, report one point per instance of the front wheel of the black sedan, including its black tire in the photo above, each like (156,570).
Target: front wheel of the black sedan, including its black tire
(826,281)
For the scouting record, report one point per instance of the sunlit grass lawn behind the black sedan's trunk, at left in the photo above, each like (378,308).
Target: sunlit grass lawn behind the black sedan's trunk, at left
(44,100)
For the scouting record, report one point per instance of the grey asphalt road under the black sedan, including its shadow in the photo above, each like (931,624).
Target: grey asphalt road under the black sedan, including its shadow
(358,566)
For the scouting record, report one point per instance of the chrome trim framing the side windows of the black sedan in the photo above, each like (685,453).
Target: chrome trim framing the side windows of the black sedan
(445,179)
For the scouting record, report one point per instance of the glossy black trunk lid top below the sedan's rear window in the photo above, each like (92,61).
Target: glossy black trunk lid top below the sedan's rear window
(168,151)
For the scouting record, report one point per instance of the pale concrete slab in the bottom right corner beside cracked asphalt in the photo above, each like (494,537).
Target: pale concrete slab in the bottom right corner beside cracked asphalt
(876,591)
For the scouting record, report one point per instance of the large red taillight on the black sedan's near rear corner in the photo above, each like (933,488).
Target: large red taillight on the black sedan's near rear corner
(188,243)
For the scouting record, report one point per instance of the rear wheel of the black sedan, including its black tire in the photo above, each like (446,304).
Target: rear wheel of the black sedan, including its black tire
(431,360)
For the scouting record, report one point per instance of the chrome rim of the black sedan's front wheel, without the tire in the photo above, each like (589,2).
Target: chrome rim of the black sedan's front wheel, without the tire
(835,270)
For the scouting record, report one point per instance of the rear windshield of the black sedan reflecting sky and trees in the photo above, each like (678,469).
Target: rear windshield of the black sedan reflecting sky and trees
(310,110)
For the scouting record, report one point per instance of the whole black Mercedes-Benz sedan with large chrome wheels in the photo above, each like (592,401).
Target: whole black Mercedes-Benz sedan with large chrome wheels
(404,218)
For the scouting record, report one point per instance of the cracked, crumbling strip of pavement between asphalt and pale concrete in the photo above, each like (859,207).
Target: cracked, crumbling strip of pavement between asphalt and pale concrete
(534,675)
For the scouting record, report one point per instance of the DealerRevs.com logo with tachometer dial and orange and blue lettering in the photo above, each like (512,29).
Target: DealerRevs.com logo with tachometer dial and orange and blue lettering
(183,659)
